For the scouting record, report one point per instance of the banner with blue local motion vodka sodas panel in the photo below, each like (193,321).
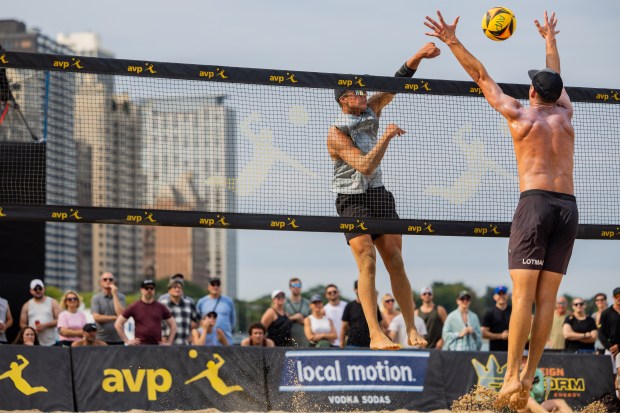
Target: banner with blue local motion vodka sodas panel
(345,380)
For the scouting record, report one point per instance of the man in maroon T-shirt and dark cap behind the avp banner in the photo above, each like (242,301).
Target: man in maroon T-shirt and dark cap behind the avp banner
(148,315)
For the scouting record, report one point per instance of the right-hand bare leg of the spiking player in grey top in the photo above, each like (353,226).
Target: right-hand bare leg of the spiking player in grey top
(390,249)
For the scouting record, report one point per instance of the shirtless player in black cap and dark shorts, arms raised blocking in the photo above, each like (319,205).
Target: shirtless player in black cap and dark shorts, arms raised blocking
(544,225)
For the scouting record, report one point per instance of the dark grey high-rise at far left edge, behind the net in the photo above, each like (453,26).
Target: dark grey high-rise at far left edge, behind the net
(47,101)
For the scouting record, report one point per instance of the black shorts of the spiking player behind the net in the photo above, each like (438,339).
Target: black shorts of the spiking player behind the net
(374,203)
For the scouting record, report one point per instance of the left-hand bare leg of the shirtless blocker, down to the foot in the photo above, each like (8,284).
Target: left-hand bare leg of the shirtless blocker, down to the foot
(523,297)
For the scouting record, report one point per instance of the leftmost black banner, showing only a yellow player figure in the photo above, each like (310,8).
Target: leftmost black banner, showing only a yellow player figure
(35,378)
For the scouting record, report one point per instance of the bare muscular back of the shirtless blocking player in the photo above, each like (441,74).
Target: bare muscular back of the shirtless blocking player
(544,138)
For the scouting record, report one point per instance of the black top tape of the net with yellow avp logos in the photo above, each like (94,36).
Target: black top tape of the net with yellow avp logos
(277,77)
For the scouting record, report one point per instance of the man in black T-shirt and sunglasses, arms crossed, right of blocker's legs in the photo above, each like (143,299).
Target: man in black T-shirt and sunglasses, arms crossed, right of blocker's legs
(579,329)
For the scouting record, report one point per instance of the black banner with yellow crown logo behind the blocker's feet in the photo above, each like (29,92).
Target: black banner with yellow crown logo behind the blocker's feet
(577,378)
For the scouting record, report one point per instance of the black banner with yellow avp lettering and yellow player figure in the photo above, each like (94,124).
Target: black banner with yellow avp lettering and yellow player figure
(157,378)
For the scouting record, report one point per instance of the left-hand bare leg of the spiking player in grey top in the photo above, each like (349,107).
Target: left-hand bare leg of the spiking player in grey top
(365,255)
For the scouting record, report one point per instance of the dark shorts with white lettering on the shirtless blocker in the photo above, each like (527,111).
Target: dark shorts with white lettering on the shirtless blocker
(543,231)
